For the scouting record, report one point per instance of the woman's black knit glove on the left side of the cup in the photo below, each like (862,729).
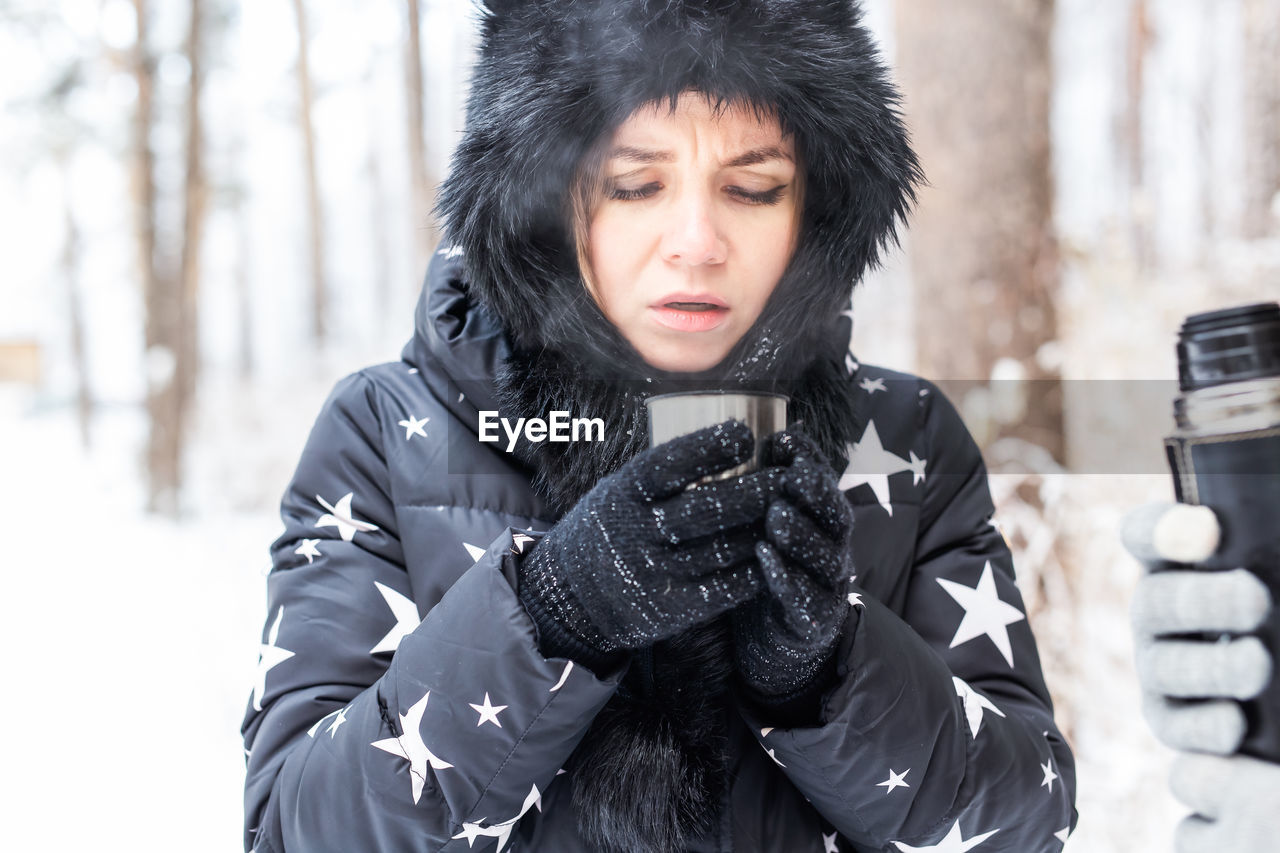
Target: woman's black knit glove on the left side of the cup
(641,559)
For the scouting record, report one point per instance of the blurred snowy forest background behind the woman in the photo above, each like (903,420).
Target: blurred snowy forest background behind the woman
(213,211)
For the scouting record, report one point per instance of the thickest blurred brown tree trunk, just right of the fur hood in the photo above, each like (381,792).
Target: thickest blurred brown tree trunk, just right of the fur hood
(977,83)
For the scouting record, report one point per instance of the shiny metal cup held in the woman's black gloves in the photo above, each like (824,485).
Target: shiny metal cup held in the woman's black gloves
(680,414)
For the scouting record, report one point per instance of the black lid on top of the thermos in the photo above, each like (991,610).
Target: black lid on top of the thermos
(1229,345)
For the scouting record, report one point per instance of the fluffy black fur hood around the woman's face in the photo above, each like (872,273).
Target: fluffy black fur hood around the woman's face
(554,77)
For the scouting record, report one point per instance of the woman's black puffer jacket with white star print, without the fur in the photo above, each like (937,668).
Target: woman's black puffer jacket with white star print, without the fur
(403,704)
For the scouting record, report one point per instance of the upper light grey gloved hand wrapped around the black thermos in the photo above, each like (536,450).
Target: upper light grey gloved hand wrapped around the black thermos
(1191,686)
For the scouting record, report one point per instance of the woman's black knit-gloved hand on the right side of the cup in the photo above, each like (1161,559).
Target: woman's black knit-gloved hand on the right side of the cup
(785,638)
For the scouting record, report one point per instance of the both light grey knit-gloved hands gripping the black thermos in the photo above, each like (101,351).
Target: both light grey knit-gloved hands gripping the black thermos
(1197,664)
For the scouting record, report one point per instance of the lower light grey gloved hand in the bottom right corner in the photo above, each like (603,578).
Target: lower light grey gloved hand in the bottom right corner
(1236,800)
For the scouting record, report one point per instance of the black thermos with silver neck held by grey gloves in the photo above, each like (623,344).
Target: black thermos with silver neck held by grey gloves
(1226,455)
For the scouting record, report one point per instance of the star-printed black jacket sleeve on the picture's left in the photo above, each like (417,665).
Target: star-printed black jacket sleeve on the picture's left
(368,728)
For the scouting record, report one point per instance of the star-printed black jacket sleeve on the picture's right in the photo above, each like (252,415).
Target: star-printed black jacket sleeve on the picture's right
(940,731)
